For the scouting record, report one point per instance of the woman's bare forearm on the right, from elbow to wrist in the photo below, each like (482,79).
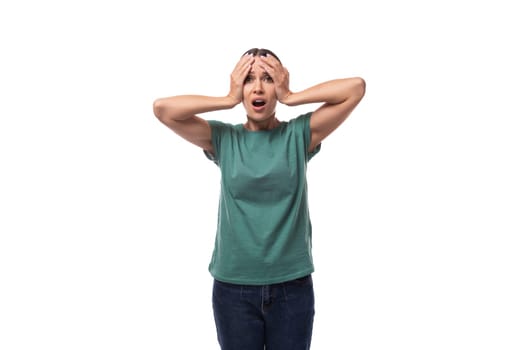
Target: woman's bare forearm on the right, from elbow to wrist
(330,92)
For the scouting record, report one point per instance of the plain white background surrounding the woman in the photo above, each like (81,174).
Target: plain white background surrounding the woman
(107,218)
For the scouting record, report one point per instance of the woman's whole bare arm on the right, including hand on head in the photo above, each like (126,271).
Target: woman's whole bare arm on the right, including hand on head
(339,98)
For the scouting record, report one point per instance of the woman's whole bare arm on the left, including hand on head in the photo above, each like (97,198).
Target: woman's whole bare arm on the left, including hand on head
(179,113)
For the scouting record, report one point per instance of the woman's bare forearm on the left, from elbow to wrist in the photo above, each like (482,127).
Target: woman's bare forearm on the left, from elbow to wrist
(185,106)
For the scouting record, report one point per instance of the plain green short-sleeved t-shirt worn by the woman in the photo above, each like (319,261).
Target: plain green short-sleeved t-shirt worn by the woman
(264,232)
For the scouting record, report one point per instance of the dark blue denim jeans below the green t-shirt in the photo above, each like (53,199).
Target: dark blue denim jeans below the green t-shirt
(272,317)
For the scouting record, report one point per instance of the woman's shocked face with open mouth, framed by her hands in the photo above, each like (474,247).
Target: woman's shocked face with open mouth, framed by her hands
(259,98)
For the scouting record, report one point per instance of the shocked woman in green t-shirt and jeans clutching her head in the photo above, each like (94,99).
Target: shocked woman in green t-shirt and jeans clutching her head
(262,263)
